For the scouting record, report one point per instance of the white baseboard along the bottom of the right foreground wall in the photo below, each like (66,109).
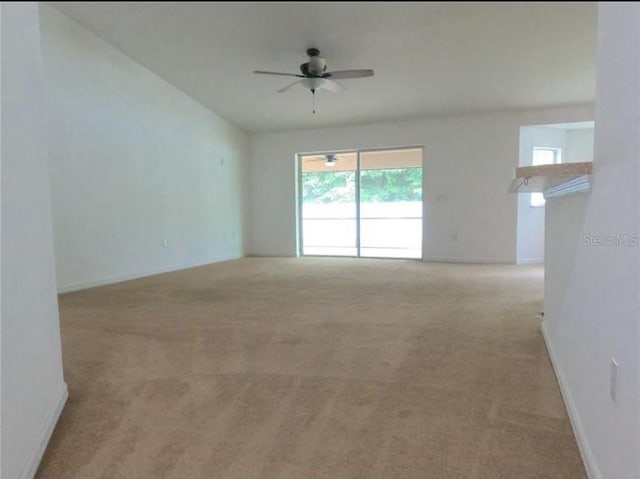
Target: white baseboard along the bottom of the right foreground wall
(589,460)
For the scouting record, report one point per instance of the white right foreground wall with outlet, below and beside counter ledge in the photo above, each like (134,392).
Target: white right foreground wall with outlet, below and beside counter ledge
(592,291)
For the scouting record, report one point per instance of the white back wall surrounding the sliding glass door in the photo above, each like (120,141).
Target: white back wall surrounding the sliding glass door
(468,166)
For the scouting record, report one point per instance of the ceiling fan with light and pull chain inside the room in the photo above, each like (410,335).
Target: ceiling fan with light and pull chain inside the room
(315,75)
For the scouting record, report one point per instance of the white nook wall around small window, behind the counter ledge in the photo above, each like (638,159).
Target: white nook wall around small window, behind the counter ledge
(531,218)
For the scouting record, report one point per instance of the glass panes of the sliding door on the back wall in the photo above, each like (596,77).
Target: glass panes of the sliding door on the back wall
(362,203)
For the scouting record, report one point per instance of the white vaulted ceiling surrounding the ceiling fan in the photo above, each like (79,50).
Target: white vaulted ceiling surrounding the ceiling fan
(429,58)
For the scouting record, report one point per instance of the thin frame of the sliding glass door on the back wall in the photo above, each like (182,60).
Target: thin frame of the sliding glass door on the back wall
(358,152)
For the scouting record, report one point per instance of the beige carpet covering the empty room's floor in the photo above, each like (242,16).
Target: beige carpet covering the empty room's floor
(312,368)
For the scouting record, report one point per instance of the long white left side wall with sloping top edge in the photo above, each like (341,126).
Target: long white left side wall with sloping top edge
(134,162)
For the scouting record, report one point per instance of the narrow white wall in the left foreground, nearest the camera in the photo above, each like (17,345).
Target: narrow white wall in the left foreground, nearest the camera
(33,390)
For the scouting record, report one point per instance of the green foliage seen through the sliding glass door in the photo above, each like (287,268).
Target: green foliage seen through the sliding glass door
(389,185)
